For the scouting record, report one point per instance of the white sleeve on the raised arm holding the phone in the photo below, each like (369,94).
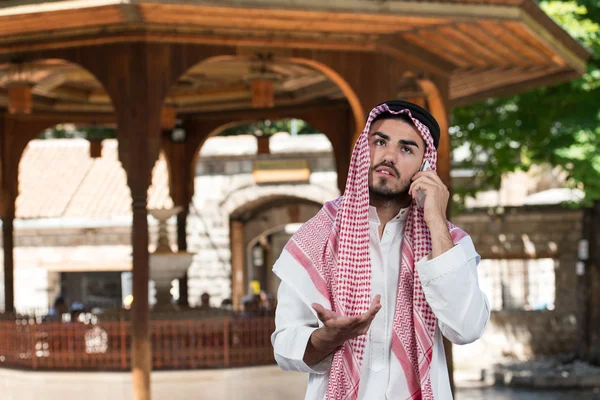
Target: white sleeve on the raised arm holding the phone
(451,288)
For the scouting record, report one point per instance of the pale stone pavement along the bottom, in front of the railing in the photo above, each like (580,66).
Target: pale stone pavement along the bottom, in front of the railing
(259,383)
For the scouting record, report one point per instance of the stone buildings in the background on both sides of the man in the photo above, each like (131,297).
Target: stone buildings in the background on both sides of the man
(76,238)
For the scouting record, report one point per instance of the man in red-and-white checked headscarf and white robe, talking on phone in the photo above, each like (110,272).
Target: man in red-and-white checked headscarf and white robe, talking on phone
(373,281)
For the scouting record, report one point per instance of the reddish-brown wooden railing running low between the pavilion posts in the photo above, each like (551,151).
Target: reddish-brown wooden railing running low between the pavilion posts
(215,342)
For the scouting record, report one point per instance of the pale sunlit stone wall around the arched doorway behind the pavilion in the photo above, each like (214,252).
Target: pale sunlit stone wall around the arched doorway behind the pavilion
(225,185)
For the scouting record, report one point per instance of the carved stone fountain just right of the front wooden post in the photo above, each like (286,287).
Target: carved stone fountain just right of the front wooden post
(165,264)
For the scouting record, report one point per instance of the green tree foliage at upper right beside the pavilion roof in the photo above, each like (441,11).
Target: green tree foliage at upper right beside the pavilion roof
(558,125)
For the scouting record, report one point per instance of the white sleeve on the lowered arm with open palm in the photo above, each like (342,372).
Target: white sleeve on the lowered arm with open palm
(294,324)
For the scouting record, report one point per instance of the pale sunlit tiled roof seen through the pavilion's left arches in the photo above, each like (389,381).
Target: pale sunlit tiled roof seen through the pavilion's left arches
(58,179)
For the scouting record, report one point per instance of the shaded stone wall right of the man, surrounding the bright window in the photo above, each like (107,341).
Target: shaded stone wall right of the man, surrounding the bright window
(521,233)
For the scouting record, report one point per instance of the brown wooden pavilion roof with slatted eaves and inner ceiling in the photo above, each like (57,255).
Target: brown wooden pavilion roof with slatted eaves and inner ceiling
(485,47)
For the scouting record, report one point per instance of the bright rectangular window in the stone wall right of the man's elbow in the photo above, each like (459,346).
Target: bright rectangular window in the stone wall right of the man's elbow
(527,284)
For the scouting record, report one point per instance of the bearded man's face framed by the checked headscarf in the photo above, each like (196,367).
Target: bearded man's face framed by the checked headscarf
(397,151)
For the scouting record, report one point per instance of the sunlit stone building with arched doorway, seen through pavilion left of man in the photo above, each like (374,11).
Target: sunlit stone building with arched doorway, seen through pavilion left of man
(73,225)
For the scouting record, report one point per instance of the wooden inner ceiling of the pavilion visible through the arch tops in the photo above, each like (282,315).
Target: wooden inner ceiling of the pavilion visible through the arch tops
(59,86)
